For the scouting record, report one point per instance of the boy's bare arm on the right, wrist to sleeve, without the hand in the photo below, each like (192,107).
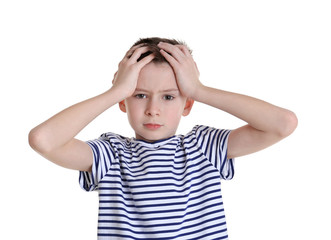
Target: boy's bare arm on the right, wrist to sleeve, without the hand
(267,124)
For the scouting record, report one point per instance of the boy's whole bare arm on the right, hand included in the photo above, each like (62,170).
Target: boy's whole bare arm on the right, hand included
(267,124)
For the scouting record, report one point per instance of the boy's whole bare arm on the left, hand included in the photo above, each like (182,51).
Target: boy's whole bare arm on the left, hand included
(55,138)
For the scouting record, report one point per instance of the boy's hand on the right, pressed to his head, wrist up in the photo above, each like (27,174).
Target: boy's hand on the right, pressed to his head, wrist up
(185,68)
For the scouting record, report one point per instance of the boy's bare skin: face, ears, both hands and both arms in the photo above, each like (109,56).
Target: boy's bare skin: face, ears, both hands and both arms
(142,91)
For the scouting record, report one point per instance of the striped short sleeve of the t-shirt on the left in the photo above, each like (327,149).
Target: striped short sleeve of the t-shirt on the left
(103,155)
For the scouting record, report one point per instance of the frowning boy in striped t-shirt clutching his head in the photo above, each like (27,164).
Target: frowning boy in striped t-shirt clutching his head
(159,185)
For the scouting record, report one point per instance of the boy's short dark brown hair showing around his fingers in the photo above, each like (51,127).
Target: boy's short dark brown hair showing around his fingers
(152,43)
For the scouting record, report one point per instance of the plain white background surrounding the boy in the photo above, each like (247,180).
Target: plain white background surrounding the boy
(56,53)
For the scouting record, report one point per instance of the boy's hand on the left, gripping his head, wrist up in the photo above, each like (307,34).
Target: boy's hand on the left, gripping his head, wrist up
(128,71)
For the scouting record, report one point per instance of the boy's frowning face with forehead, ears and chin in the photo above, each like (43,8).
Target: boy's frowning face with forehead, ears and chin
(156,107)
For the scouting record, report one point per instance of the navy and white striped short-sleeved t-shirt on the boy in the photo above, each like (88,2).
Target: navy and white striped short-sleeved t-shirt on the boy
(168,189)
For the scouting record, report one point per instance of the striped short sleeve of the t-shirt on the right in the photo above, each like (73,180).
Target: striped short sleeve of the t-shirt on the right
(213,143)
